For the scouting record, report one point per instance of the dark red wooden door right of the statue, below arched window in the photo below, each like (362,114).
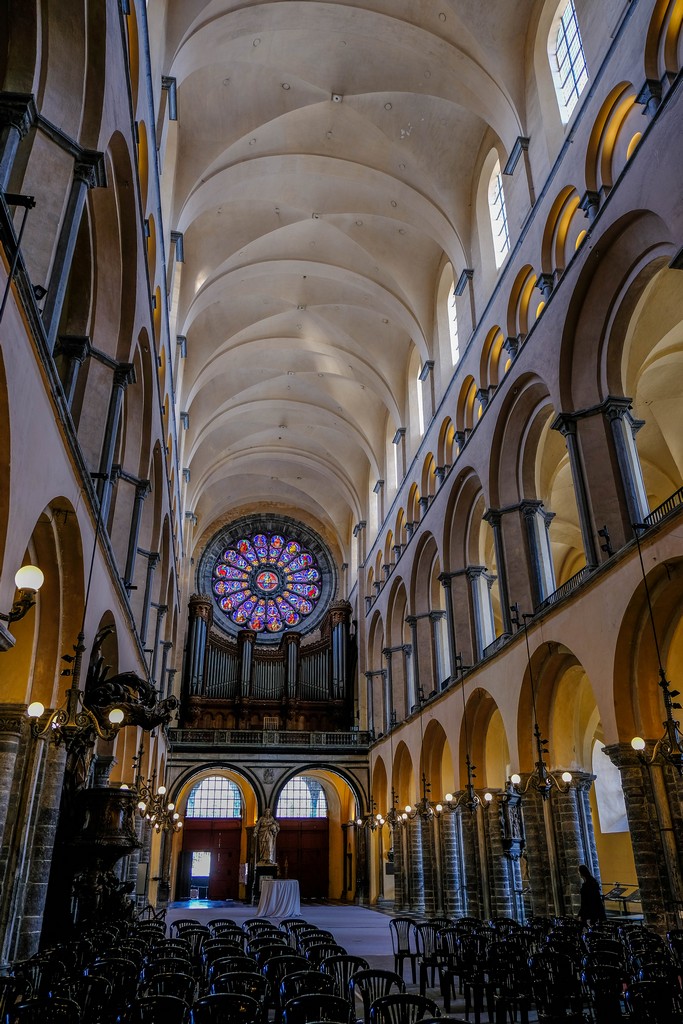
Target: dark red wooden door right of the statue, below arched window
(304,854)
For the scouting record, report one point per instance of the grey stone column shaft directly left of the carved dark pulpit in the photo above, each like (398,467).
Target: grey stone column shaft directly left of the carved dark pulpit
(42,846)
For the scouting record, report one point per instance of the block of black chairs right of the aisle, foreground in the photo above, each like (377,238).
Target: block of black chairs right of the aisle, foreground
(551,965)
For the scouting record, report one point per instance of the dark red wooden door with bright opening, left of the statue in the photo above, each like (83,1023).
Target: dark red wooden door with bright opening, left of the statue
(222,838)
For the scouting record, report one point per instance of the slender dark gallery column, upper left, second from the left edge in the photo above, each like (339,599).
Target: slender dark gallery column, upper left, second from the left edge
(89,174)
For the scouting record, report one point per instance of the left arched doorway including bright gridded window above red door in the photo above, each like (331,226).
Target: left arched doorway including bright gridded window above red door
(209,863)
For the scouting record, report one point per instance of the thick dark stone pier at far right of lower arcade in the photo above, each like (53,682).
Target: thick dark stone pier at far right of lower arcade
(654,807)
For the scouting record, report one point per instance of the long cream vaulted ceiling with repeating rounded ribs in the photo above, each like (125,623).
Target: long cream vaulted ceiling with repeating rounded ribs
(324,168)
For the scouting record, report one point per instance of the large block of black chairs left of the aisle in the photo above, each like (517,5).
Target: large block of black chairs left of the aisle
(295,973)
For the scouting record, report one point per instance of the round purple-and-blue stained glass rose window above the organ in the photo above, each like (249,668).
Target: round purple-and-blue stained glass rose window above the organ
(267,582)
